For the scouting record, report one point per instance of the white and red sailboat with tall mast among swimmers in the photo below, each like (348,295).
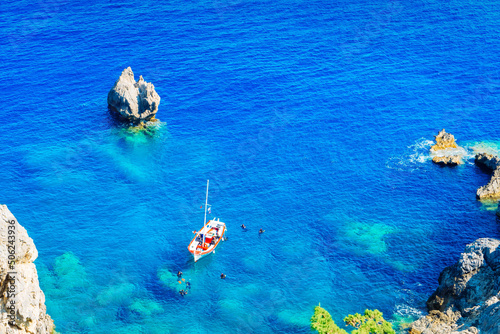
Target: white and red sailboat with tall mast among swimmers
(208,238)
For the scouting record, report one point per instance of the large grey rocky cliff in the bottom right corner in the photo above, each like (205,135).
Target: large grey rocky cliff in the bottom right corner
(467,298)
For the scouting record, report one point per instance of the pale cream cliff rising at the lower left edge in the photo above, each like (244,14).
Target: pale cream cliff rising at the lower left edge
(22,303)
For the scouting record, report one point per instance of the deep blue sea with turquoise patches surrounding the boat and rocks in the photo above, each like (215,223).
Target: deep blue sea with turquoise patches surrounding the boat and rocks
(311,119)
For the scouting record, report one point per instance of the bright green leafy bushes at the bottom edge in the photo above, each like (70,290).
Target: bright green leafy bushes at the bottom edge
(371,322)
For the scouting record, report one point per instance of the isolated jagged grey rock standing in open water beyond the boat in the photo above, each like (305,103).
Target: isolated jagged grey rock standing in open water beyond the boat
(133,102)
